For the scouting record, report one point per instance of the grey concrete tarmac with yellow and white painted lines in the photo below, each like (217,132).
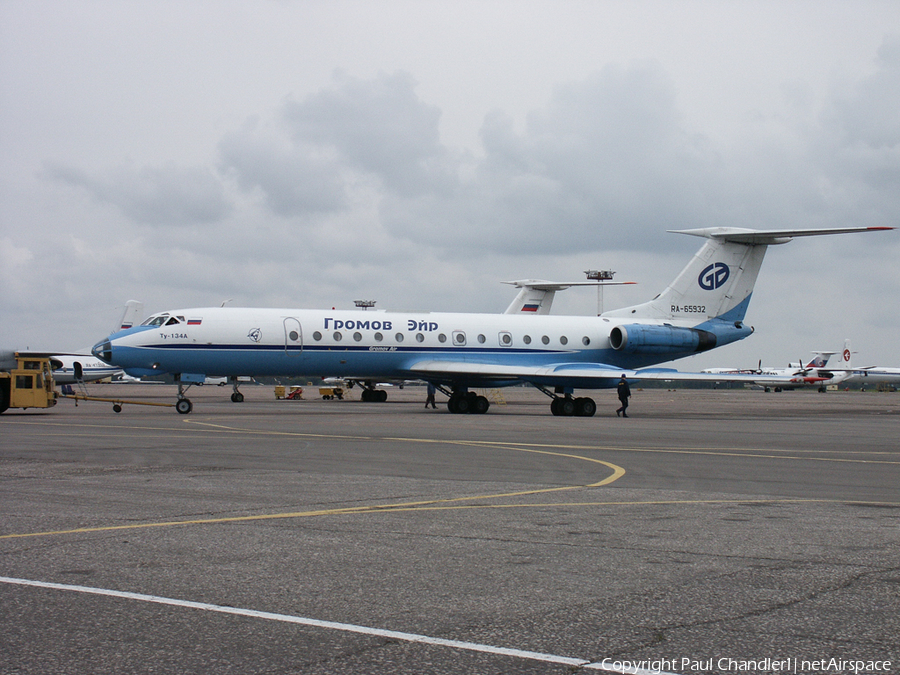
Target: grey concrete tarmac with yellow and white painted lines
(711,532)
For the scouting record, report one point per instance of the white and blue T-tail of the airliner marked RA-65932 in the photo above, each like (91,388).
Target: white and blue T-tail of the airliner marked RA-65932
(718,281)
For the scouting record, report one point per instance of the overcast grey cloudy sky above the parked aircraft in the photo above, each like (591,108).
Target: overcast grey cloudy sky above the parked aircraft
(306,154)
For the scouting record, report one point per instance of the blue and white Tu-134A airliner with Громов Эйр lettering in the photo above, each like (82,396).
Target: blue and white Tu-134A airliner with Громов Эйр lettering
(703,308)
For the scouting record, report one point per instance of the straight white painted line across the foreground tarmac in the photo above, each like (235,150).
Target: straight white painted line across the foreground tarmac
(605,665)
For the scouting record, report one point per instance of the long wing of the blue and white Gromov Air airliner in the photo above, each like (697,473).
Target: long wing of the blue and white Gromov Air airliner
(580,374)
